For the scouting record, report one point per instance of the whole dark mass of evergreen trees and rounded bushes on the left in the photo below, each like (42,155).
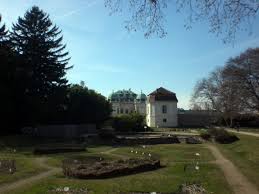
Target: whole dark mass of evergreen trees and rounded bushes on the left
(33,82)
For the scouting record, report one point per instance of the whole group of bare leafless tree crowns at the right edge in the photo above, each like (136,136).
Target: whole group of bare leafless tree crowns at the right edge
(232,89)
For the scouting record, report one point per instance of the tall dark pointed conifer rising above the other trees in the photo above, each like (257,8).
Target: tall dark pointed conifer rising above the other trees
(44,64)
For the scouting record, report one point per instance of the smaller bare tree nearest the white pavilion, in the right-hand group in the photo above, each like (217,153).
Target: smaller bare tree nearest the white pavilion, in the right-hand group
(219,93)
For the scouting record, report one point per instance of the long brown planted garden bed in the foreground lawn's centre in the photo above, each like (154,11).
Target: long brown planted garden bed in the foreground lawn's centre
(107,169)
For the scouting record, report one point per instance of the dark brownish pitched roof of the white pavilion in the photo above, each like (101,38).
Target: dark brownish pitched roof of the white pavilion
(162,94)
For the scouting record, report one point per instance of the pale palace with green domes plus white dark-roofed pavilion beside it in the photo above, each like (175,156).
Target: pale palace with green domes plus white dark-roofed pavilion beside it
(159,107)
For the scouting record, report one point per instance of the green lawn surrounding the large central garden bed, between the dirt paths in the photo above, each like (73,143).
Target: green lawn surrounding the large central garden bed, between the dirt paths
(167,179)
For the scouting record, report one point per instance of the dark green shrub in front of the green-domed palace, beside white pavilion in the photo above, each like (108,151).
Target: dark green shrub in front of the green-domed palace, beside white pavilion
(128,123)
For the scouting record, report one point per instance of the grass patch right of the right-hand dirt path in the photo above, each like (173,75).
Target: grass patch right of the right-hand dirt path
(245,155)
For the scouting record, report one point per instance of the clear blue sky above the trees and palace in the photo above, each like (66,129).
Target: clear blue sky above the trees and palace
(108,58)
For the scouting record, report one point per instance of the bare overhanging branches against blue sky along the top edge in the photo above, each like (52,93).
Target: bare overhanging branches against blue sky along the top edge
(225,17)
